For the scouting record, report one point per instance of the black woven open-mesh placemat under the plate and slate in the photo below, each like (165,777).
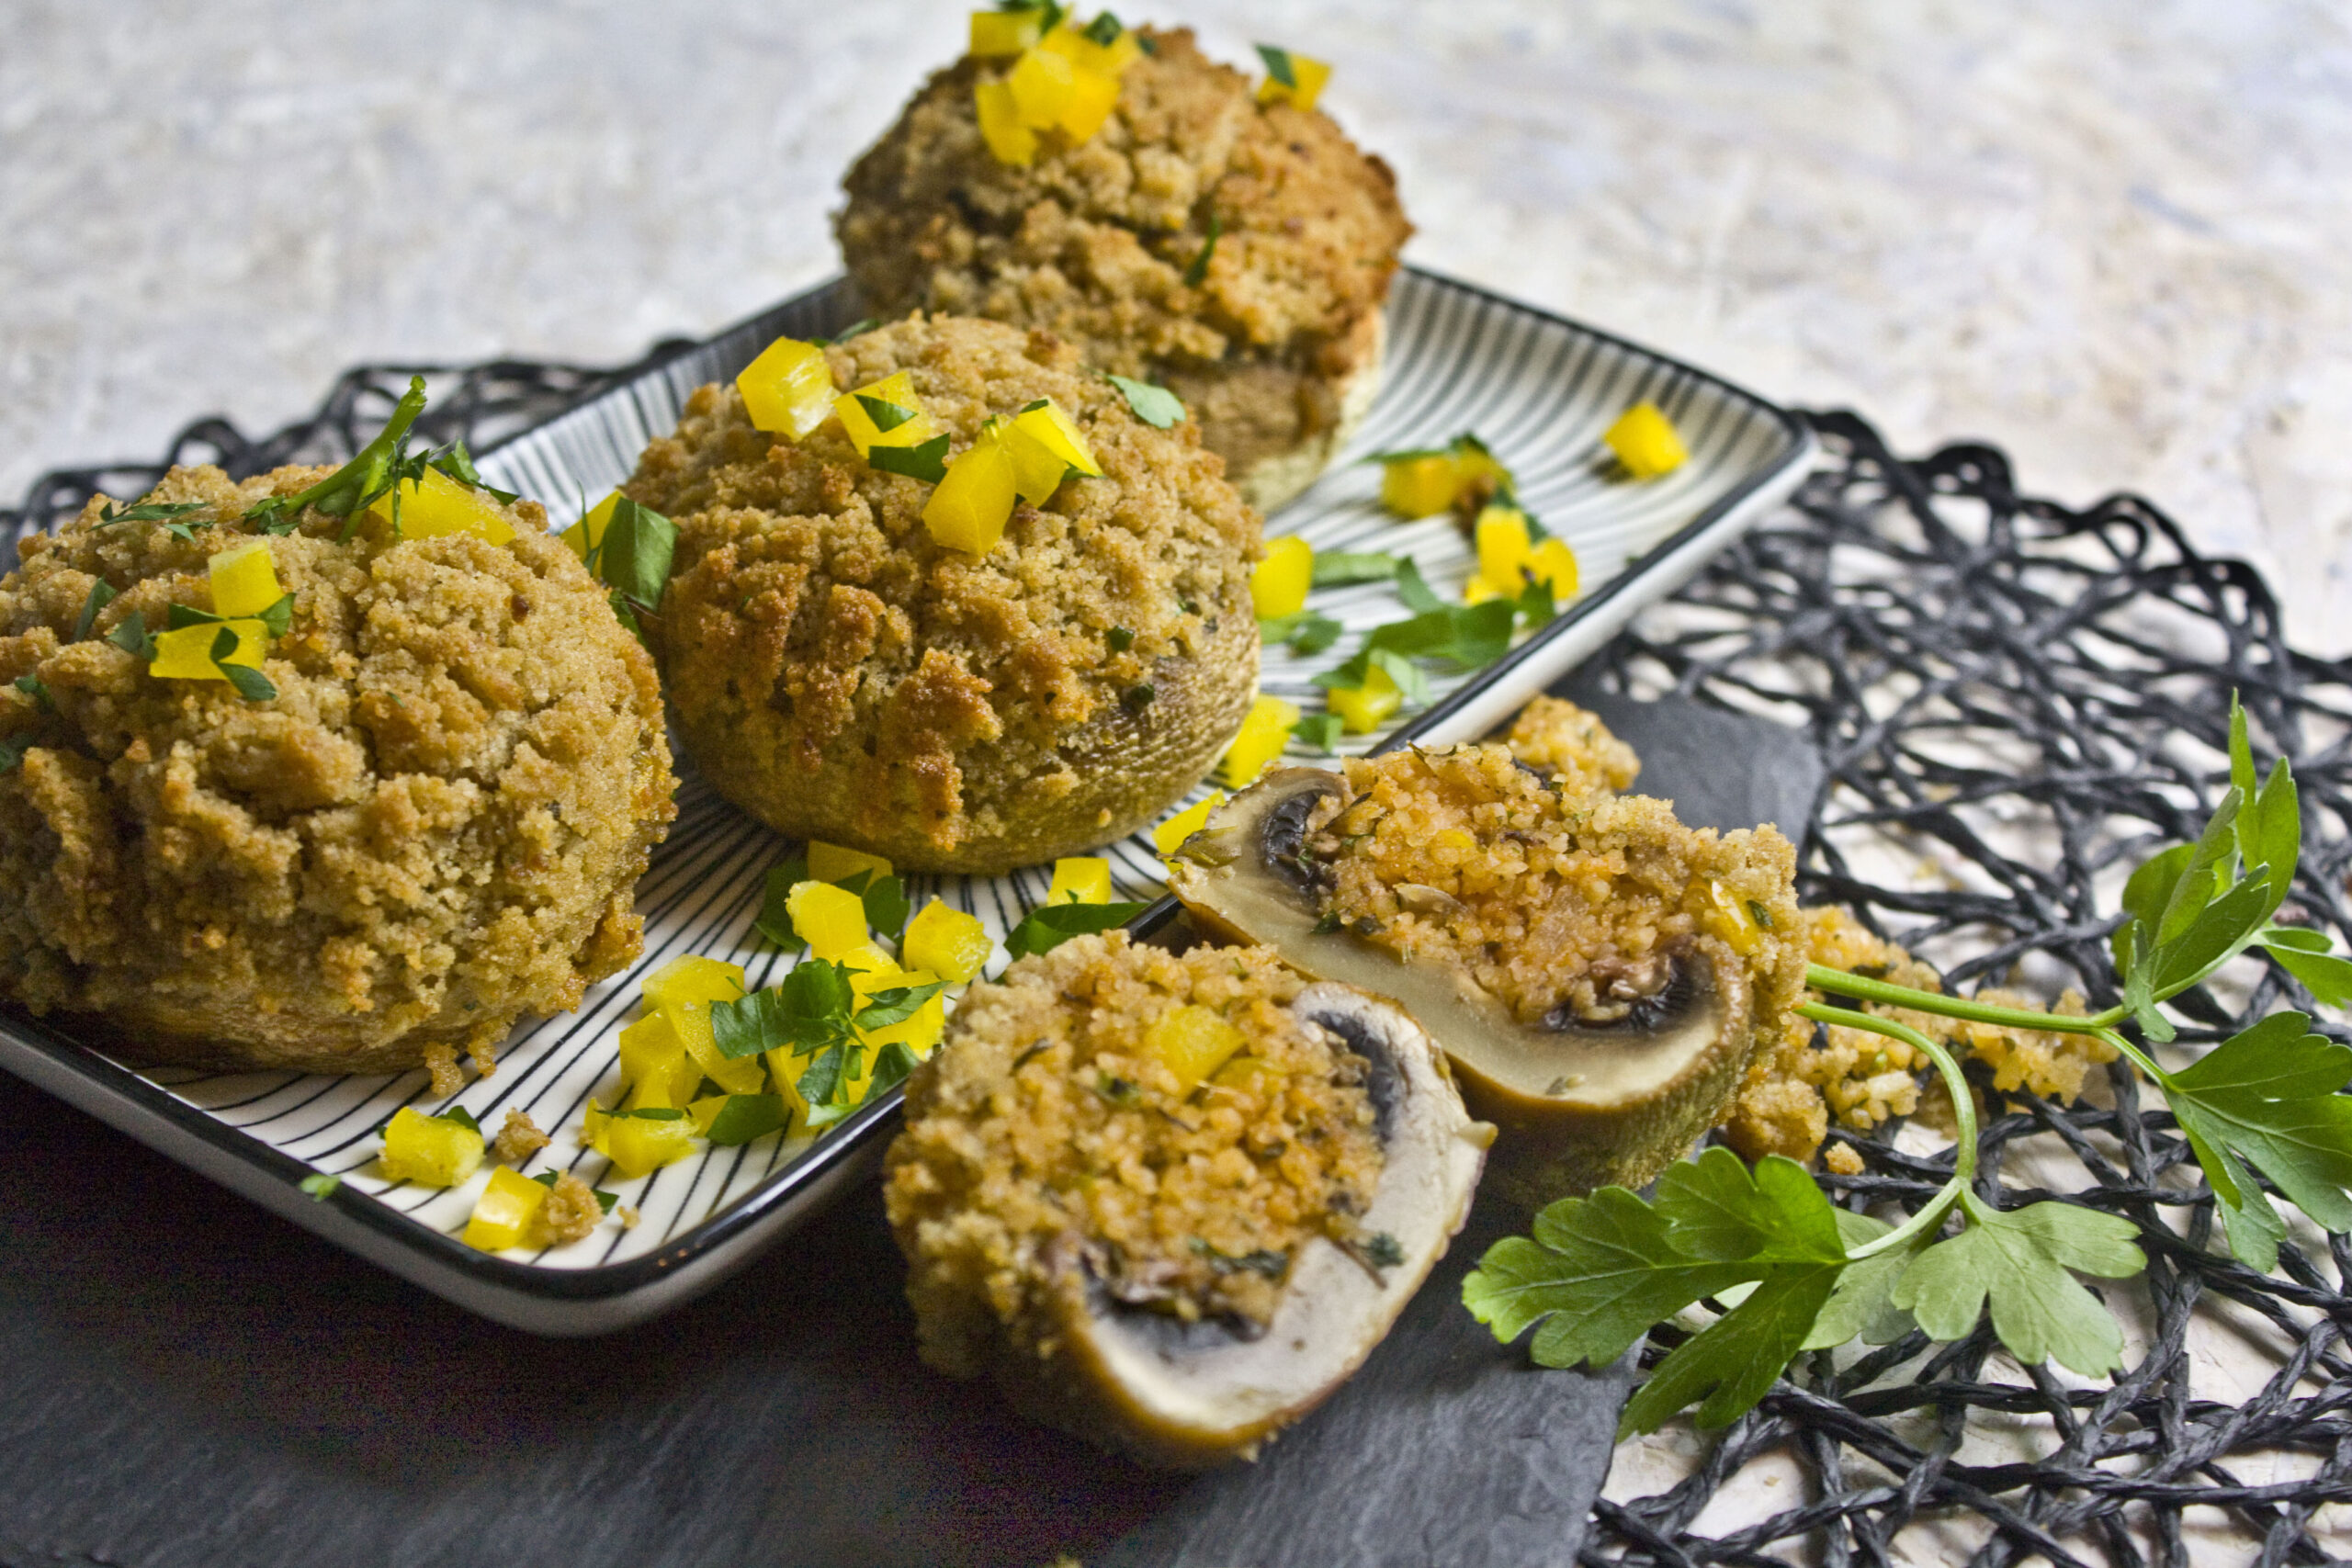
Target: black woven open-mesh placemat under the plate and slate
(2022,702)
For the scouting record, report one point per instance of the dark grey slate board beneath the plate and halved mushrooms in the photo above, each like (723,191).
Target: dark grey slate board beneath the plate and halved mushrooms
(187,1381)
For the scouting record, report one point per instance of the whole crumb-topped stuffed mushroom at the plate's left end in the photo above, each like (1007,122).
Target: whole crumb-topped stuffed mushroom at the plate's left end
(429,831)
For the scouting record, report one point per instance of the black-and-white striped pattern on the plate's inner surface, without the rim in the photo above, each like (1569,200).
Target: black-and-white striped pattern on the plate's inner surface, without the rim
(1537,389)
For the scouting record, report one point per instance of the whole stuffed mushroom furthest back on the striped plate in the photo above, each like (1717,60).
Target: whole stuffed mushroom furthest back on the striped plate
(1274,347)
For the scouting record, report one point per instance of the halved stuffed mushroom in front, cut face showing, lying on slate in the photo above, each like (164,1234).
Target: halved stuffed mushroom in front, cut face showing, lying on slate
(1172,1200)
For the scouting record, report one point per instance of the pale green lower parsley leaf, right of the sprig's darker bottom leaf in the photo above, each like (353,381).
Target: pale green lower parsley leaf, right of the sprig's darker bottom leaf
(2019,1261)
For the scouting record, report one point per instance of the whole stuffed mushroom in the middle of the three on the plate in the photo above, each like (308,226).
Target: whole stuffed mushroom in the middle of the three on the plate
(841,674)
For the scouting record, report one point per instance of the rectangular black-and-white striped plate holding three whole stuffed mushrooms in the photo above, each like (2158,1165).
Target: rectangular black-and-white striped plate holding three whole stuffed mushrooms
(1537,389)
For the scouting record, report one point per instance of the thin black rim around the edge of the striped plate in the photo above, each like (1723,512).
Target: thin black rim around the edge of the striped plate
(867,1127)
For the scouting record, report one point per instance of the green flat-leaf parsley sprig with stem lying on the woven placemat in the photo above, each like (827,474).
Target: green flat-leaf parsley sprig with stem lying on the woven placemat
(1800,1275)
